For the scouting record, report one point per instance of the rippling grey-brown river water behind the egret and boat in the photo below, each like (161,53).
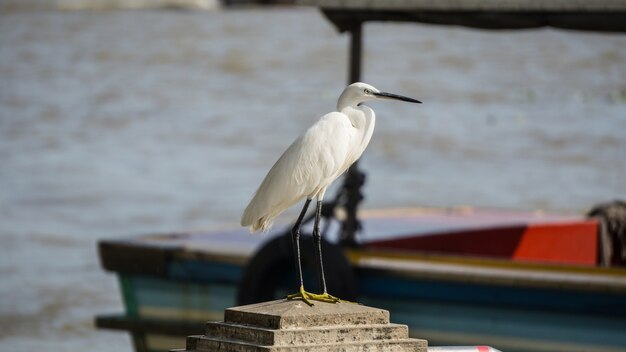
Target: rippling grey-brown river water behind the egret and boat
(126,122)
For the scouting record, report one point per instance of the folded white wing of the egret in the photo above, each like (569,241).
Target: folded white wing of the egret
(305,169)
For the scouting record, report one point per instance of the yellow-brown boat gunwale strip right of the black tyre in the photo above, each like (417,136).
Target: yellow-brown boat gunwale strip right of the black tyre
(492,271)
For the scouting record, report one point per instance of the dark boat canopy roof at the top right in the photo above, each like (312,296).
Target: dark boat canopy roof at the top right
(589,15)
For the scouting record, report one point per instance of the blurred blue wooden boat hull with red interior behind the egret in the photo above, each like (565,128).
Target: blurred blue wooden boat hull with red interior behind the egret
(514,280)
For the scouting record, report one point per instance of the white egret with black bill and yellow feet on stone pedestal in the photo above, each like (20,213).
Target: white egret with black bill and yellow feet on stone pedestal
(312,162)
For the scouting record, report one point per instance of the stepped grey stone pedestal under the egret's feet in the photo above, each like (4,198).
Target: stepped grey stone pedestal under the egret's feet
(291,325)
